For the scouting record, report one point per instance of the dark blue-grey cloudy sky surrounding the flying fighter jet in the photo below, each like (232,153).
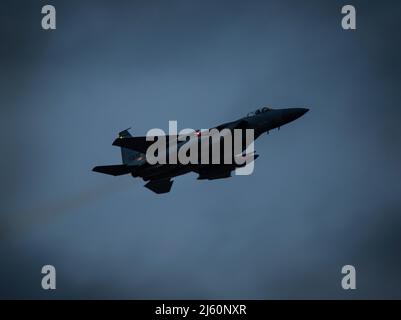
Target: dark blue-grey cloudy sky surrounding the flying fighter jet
(325,191)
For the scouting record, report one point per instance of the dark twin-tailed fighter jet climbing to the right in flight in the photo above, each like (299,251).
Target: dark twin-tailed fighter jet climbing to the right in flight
(159,176)
